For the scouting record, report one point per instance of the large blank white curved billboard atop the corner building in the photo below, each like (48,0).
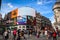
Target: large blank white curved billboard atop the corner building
(26,11)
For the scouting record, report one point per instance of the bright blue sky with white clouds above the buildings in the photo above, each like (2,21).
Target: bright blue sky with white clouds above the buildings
(44,7)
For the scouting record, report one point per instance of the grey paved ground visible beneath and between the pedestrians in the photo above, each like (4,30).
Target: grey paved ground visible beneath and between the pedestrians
(29,38)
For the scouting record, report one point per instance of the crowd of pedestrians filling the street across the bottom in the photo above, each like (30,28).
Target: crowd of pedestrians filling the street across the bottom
(19,34)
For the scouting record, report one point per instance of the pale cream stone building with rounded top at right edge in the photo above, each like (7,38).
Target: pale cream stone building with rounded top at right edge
(56,9)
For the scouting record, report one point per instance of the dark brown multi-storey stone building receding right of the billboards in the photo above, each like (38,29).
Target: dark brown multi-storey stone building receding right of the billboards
(42,22)
